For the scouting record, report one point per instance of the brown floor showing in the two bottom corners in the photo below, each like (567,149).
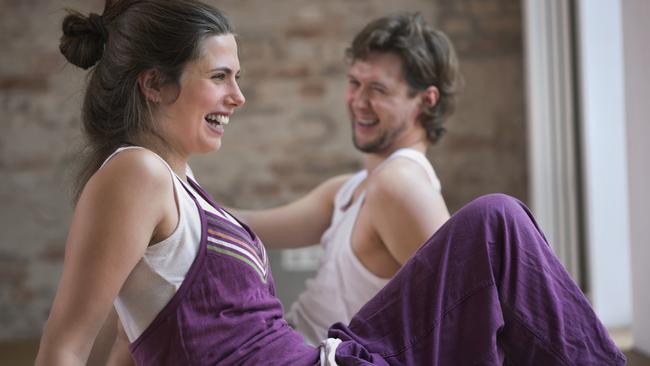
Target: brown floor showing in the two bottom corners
(23,353)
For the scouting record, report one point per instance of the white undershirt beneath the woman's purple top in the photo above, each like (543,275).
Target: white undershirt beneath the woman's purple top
(162,269)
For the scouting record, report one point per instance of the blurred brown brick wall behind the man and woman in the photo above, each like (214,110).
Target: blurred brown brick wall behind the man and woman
(292,134)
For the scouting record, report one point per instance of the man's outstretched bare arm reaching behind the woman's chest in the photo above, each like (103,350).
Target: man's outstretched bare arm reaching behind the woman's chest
(296,224)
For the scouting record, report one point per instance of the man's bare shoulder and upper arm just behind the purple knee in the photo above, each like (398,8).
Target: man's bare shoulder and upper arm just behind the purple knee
(405,211)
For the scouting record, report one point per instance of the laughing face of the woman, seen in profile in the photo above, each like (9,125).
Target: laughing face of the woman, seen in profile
(209,94)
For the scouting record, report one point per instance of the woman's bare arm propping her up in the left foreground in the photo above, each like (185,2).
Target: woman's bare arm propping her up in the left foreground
(122,208)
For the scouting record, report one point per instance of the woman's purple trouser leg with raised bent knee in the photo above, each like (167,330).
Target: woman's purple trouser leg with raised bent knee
(486,289)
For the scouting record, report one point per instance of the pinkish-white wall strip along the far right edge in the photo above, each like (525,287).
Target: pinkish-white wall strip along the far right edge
(636,51)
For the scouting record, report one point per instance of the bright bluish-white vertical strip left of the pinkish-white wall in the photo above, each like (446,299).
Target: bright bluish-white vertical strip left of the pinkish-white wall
(601,68)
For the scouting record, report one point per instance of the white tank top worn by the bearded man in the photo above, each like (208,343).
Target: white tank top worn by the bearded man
(342,284)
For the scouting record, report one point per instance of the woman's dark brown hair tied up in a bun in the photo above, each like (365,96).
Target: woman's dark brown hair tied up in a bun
(131,36)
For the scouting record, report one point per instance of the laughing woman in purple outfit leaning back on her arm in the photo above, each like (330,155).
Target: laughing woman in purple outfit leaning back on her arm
(191,284)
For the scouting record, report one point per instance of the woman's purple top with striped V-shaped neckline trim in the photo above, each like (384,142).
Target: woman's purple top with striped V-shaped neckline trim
(226,311)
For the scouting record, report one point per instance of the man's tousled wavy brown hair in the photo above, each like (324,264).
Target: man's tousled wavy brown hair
(428,58)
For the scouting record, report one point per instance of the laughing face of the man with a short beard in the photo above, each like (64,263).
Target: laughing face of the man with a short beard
(383,115)
